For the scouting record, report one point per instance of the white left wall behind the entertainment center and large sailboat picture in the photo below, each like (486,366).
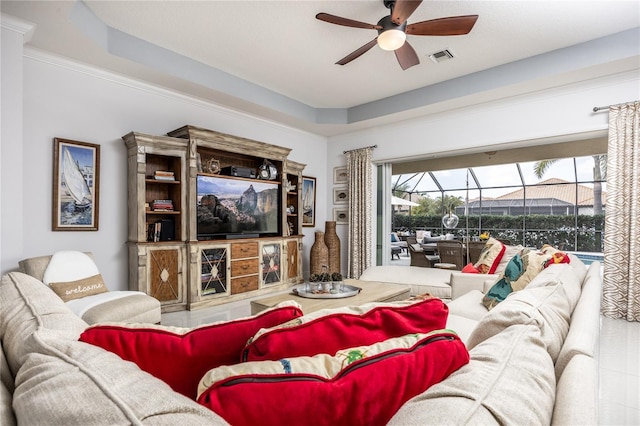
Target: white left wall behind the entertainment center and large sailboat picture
(67,100)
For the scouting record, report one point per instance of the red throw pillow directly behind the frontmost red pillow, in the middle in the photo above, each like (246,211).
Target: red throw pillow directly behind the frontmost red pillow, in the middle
(330,330)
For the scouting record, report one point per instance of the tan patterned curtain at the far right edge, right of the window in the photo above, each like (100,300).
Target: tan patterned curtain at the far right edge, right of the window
(621,287)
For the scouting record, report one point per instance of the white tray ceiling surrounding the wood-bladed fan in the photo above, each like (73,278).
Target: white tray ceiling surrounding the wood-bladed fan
(274,59)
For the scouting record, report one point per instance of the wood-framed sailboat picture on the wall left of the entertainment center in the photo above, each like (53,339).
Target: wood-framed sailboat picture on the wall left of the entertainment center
(76,183)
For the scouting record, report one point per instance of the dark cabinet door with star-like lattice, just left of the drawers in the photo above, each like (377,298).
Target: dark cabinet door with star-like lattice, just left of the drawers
(214,271)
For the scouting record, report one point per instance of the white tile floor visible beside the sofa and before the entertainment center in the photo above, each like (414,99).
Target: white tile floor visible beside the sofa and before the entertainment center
(619,357)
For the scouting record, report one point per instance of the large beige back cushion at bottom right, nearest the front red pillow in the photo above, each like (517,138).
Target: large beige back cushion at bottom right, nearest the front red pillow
(509,380)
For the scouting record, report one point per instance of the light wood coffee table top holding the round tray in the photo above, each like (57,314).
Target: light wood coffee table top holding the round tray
(372,291)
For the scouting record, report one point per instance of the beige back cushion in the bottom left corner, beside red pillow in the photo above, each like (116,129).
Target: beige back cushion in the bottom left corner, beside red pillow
(66,382)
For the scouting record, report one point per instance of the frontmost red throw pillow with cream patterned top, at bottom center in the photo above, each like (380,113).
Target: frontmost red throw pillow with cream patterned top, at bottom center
(358,386)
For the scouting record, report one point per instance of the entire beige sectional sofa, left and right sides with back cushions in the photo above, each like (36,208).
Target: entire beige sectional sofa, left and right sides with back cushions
(533,360)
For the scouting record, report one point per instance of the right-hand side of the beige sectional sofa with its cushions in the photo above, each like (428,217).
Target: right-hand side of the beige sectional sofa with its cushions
(534,357)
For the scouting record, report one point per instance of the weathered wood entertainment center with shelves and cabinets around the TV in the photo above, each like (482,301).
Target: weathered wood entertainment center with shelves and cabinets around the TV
(185,152)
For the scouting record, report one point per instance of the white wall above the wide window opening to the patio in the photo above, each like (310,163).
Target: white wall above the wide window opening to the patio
(561,114)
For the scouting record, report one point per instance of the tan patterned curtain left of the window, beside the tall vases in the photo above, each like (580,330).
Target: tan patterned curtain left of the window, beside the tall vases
(360,173)
